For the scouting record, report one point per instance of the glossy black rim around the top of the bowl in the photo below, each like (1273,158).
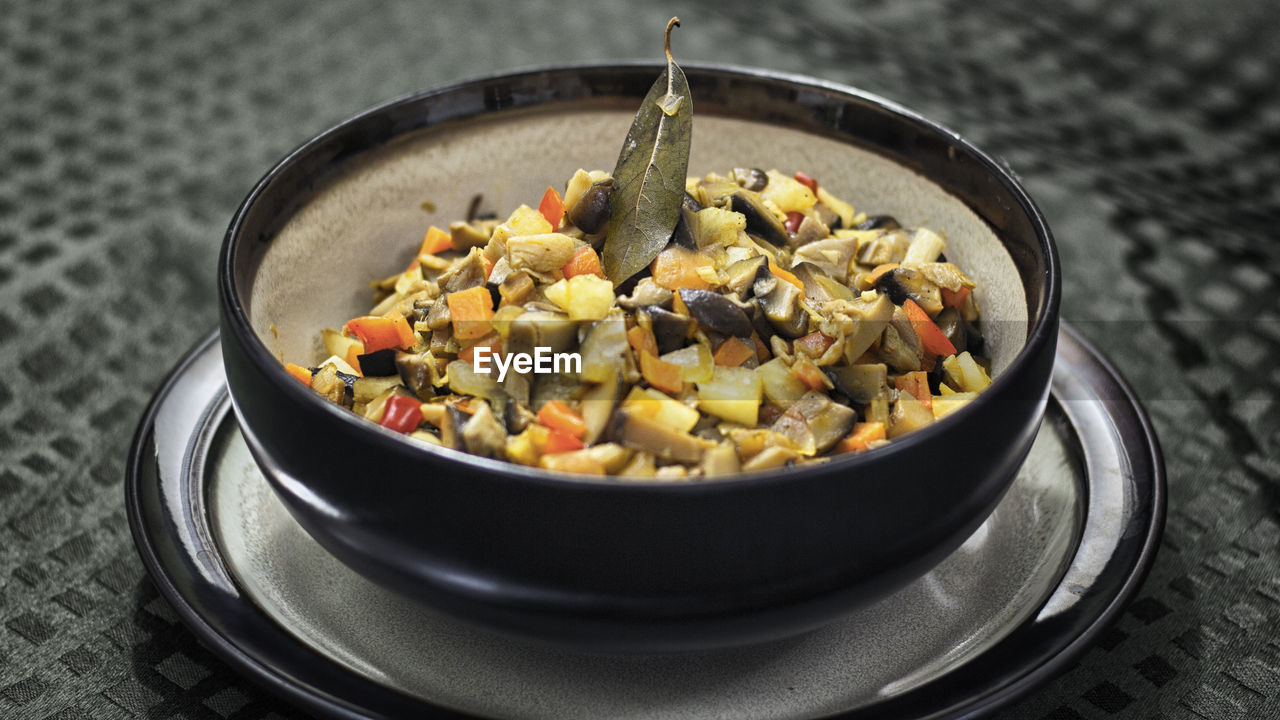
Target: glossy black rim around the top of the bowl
(1044,318)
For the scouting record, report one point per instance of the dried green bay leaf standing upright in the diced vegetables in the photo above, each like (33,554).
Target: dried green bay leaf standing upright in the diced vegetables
(650,177)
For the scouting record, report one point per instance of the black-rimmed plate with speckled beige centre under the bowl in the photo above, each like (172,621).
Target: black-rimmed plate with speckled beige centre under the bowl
(1031,590)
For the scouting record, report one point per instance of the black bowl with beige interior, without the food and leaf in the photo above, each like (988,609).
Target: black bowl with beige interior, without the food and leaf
(600,563)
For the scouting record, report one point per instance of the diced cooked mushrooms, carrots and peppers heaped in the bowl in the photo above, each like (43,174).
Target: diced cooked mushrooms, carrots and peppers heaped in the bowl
(779,326)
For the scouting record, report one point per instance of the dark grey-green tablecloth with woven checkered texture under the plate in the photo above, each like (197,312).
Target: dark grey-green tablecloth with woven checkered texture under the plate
(1149,133)
